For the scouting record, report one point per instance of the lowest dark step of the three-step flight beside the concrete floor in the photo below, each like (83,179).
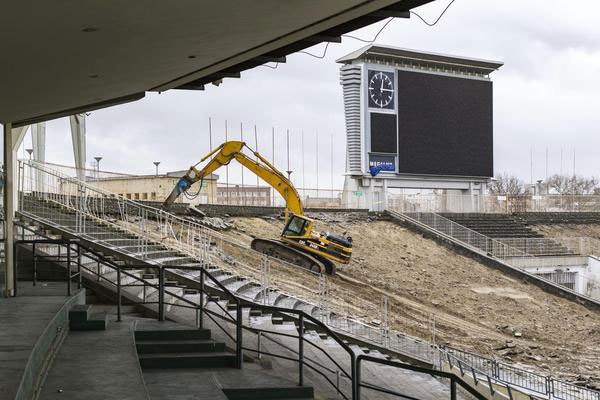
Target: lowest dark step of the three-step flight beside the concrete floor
(188,360)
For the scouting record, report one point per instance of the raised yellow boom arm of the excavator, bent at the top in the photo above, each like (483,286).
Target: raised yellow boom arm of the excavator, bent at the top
(263,169)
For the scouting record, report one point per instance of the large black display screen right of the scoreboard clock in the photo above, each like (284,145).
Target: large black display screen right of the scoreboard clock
(445,125)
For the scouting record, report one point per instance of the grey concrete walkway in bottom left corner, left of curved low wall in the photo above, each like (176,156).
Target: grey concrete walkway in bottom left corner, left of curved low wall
(22,320)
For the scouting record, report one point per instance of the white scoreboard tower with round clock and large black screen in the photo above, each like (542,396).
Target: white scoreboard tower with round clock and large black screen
(416,120)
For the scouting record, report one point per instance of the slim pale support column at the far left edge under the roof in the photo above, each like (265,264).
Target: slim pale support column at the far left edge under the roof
(9,211)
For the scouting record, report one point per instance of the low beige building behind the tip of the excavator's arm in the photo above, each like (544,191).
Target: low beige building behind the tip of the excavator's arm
(157,187)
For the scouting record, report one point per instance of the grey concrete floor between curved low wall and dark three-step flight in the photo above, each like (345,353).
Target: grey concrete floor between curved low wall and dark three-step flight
(97,365)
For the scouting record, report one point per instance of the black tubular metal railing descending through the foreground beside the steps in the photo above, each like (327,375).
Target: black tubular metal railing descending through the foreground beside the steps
(62,257)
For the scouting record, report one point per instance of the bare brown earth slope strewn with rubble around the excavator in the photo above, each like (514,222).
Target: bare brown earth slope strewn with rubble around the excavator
(475,307)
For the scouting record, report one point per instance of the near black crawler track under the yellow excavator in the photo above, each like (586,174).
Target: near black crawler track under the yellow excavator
(282,251)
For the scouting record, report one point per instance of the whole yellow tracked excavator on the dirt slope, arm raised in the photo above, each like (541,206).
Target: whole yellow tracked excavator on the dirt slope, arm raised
(298,243)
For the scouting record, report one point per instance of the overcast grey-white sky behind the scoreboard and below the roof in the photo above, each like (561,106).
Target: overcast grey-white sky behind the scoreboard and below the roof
(545,96)
